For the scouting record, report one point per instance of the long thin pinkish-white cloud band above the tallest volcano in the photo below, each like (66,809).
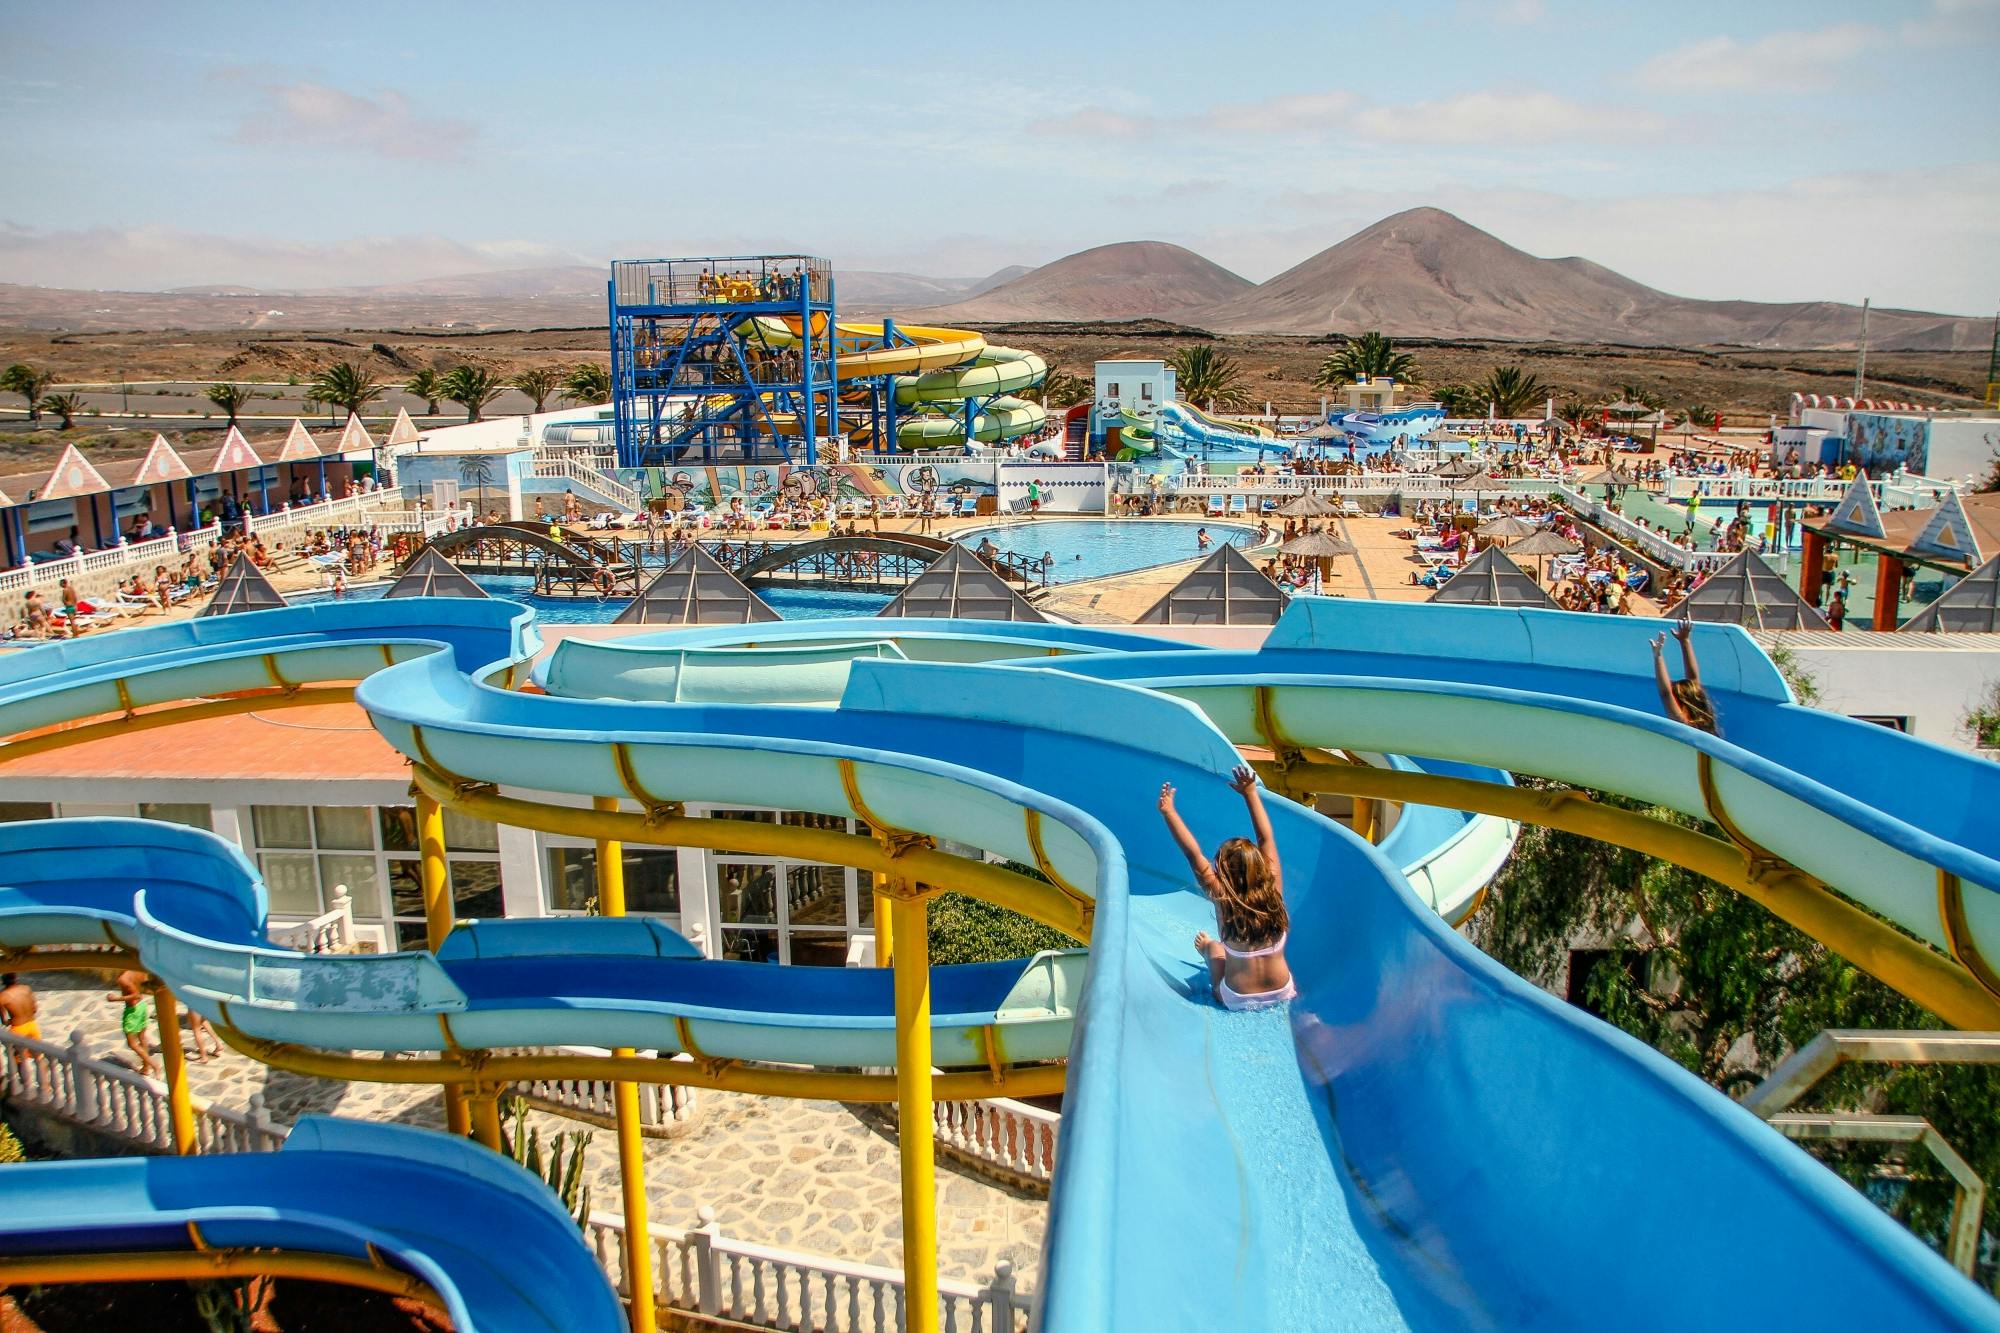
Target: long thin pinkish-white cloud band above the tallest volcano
(1465,119)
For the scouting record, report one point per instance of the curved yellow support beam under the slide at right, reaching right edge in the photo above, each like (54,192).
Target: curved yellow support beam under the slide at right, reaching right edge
(1795,898)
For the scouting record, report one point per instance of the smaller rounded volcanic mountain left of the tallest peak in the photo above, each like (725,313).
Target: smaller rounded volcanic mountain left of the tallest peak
(1127,281)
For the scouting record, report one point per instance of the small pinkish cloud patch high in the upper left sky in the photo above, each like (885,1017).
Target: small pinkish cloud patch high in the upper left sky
(303,113)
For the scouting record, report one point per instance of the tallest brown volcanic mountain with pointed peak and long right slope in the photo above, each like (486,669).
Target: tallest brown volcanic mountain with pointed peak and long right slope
(1429,275)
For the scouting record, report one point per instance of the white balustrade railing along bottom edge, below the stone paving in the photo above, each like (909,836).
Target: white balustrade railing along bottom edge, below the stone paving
(765,1288)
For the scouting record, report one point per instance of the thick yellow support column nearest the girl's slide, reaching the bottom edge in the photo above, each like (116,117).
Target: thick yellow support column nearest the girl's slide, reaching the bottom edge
(915,1120)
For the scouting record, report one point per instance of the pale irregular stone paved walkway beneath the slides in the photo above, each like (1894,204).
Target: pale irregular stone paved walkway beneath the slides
(811,1176)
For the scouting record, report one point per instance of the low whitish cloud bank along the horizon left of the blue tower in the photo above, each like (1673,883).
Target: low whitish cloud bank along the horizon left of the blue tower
(157,257)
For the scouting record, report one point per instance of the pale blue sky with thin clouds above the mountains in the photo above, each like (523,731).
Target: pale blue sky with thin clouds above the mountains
(1771,151)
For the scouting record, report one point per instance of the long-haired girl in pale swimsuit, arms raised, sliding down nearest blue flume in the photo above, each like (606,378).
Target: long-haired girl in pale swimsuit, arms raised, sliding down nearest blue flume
(1247,886)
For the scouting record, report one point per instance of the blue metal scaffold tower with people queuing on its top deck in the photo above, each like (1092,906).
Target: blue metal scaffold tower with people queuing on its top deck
(723,359)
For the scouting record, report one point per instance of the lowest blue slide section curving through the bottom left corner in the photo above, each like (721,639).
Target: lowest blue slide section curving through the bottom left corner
(483,1234)
